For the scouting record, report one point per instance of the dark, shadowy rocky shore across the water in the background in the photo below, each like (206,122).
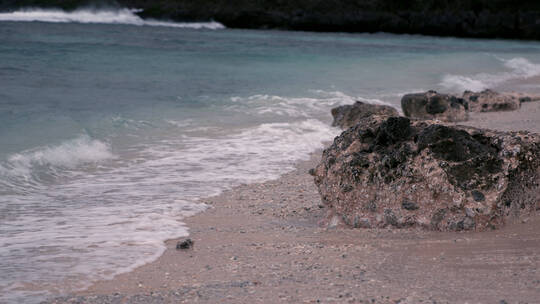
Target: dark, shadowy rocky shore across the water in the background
(461,18)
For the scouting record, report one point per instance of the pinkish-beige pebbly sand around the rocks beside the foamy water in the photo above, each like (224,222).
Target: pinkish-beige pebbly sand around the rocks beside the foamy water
(262,243)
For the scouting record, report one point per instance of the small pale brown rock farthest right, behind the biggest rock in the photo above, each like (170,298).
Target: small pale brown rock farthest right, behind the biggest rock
(490,101)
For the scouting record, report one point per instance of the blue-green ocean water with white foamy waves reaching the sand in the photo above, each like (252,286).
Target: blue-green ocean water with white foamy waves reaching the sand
(113,128)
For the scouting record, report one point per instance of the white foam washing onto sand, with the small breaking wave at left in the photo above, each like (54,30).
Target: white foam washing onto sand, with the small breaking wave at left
(107,221)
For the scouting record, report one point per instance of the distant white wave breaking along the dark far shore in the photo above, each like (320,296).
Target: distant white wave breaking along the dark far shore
(120,16)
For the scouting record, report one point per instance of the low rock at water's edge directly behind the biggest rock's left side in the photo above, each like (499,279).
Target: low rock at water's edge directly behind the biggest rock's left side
(349,115)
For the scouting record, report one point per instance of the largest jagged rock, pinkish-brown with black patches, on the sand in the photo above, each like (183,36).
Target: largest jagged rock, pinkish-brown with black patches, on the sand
(401,173)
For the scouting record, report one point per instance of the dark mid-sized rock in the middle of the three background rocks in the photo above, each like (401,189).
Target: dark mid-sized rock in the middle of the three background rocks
(432,105)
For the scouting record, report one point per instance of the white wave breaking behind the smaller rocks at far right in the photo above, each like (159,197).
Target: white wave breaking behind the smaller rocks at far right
(519,68)
